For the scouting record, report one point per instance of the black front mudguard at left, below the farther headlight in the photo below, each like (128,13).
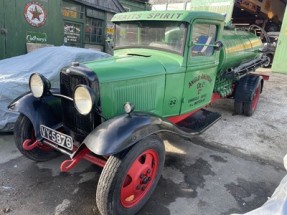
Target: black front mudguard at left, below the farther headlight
(46,111)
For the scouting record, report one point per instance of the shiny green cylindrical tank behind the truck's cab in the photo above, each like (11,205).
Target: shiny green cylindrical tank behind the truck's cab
(238,47)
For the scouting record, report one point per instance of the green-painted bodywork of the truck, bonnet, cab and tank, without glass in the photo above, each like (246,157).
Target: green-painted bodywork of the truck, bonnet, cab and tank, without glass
(166,83)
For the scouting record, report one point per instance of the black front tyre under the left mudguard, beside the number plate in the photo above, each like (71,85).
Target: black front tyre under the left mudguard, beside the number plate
(24,130)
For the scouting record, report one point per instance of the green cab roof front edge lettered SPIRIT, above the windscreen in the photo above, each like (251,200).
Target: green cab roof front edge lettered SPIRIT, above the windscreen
(185,16)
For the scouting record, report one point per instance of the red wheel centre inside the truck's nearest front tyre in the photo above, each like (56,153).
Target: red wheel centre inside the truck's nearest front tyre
(139,178)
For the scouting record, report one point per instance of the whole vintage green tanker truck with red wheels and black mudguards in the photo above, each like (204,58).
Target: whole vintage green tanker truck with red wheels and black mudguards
(167,66)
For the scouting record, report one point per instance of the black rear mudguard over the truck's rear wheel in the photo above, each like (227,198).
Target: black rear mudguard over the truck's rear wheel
(246,86)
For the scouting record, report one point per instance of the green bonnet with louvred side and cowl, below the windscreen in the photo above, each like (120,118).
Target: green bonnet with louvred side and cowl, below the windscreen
(139,79)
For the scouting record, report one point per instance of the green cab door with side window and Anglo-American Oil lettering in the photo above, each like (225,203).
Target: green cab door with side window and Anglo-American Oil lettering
(201,65)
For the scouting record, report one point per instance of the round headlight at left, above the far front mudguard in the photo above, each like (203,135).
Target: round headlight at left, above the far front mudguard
(39,85)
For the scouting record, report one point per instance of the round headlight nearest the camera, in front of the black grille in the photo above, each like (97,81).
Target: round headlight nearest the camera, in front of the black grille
(84,99)
